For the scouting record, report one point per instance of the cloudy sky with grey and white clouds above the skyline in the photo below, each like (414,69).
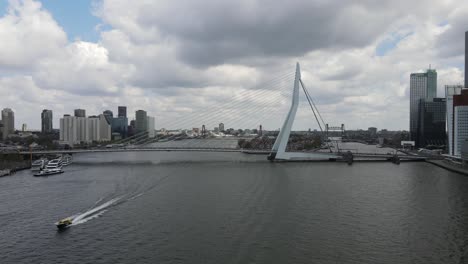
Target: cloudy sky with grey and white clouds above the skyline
(177,58)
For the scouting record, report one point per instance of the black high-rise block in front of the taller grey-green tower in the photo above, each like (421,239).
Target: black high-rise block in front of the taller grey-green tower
(431,123)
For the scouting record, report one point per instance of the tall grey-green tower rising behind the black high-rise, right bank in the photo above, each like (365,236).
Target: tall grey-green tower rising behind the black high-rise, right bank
(422,86)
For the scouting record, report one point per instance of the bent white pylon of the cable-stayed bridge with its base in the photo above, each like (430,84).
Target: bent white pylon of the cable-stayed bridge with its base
(278,152)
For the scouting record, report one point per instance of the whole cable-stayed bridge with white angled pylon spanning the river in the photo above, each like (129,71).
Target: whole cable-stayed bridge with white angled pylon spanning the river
(267,99)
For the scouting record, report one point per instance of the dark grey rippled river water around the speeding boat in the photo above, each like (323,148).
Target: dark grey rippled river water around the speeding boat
(226,208)
